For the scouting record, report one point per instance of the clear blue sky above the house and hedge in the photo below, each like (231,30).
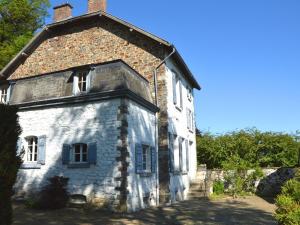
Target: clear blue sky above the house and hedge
(244,53)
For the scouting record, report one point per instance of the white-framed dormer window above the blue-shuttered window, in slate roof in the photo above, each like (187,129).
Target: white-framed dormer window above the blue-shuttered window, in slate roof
(81,82)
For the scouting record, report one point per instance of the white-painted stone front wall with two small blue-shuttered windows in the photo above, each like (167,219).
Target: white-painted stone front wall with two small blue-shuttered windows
(84,123)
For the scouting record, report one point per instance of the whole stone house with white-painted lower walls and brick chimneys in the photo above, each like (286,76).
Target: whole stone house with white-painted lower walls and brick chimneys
(106,104)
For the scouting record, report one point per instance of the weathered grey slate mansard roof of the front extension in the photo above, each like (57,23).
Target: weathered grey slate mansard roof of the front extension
(109,80)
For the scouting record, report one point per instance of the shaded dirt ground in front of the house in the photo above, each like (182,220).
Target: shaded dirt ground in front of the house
(244,211)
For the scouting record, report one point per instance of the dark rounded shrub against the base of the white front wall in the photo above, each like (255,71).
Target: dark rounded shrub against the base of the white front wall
(54,195)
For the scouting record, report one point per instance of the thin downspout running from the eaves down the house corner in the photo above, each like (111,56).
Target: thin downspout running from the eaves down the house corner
(156,122)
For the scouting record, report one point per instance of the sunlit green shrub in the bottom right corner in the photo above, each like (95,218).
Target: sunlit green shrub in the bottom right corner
(288,203)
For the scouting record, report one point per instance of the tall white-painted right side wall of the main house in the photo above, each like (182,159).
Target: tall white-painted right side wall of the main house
(178,125)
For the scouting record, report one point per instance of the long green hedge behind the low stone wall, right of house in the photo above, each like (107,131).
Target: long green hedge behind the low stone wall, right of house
(263,149)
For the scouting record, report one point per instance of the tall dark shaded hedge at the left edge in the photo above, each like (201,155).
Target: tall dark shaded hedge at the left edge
(9,161)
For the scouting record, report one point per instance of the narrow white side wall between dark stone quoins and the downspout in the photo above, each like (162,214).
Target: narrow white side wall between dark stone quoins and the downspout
(141,129)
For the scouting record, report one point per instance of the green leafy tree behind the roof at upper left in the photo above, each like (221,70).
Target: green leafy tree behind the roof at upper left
(19,19)
